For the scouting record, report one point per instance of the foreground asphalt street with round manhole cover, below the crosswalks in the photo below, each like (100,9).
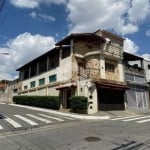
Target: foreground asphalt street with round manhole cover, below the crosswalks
(85,135)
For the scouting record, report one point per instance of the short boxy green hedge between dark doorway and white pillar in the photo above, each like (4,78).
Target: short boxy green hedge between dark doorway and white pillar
(78,104)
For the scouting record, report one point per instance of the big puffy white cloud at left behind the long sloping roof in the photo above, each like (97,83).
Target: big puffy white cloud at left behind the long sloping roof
(22,49)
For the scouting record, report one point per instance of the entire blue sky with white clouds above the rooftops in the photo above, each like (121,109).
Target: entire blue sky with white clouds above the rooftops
(29,28)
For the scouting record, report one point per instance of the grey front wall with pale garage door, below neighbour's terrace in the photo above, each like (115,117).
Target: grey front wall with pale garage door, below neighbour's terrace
(137,95)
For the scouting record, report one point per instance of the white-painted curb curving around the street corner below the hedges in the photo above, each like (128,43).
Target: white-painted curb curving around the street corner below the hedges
(77,116)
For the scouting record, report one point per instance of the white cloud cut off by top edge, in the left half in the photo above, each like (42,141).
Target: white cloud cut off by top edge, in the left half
(35,3)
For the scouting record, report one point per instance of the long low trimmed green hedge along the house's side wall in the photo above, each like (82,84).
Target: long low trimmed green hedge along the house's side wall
(51,102)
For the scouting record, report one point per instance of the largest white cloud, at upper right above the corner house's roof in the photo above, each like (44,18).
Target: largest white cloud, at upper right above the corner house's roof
(117,15)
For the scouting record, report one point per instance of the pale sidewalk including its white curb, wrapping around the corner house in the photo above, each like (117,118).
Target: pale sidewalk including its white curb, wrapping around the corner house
(101,115)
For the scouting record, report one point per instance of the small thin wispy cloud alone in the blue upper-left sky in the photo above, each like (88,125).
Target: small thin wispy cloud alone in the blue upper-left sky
(41,16)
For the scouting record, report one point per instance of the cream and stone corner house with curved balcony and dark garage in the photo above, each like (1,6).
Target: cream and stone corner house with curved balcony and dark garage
(84,64)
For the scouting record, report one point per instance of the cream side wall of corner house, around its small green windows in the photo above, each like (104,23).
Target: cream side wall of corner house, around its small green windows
(63,73)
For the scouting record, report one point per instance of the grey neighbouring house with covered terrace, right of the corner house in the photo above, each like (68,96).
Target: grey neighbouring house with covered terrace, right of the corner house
(137,95)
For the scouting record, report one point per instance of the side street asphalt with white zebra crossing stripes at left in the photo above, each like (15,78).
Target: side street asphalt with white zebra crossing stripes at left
(14,118)
